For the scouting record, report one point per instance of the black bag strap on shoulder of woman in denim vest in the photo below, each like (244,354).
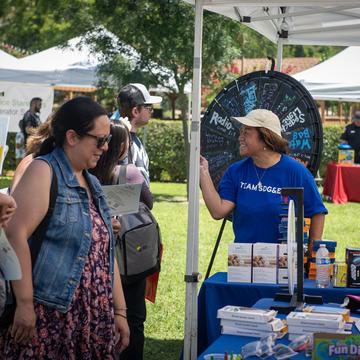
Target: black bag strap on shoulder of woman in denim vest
(39,233)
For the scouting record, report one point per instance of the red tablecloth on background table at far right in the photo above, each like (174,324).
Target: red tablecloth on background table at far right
(342,182)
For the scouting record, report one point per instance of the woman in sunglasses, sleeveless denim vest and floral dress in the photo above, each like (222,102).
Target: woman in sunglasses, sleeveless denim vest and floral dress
(71,305)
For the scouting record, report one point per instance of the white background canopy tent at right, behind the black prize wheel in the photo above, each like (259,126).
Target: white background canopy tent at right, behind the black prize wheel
(336,78)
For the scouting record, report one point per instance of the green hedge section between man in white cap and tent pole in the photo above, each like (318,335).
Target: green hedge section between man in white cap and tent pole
(165,147)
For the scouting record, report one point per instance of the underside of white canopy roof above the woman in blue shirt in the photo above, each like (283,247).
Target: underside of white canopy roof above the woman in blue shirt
(306,22)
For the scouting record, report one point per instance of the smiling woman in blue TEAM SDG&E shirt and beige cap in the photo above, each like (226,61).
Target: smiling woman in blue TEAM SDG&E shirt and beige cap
(252,188)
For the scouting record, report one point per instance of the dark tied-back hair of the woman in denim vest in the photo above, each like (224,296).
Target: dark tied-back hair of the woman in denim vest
(78,114)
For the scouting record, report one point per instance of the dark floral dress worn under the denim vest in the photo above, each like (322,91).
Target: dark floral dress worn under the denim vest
(87,330)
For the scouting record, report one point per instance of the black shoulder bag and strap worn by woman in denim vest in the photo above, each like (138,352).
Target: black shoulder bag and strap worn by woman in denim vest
(7,316)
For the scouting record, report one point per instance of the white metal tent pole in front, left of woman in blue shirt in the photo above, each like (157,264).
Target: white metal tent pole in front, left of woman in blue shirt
(191,276)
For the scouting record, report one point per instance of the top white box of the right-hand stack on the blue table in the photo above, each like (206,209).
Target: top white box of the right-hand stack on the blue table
(310,319)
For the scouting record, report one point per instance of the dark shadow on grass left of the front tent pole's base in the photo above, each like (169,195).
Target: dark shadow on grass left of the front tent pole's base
(167,349)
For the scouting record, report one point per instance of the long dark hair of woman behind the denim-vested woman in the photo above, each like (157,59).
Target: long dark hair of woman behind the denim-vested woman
(105,168)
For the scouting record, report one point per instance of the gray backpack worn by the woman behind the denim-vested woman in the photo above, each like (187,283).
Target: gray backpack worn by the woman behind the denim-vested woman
(138,243)
